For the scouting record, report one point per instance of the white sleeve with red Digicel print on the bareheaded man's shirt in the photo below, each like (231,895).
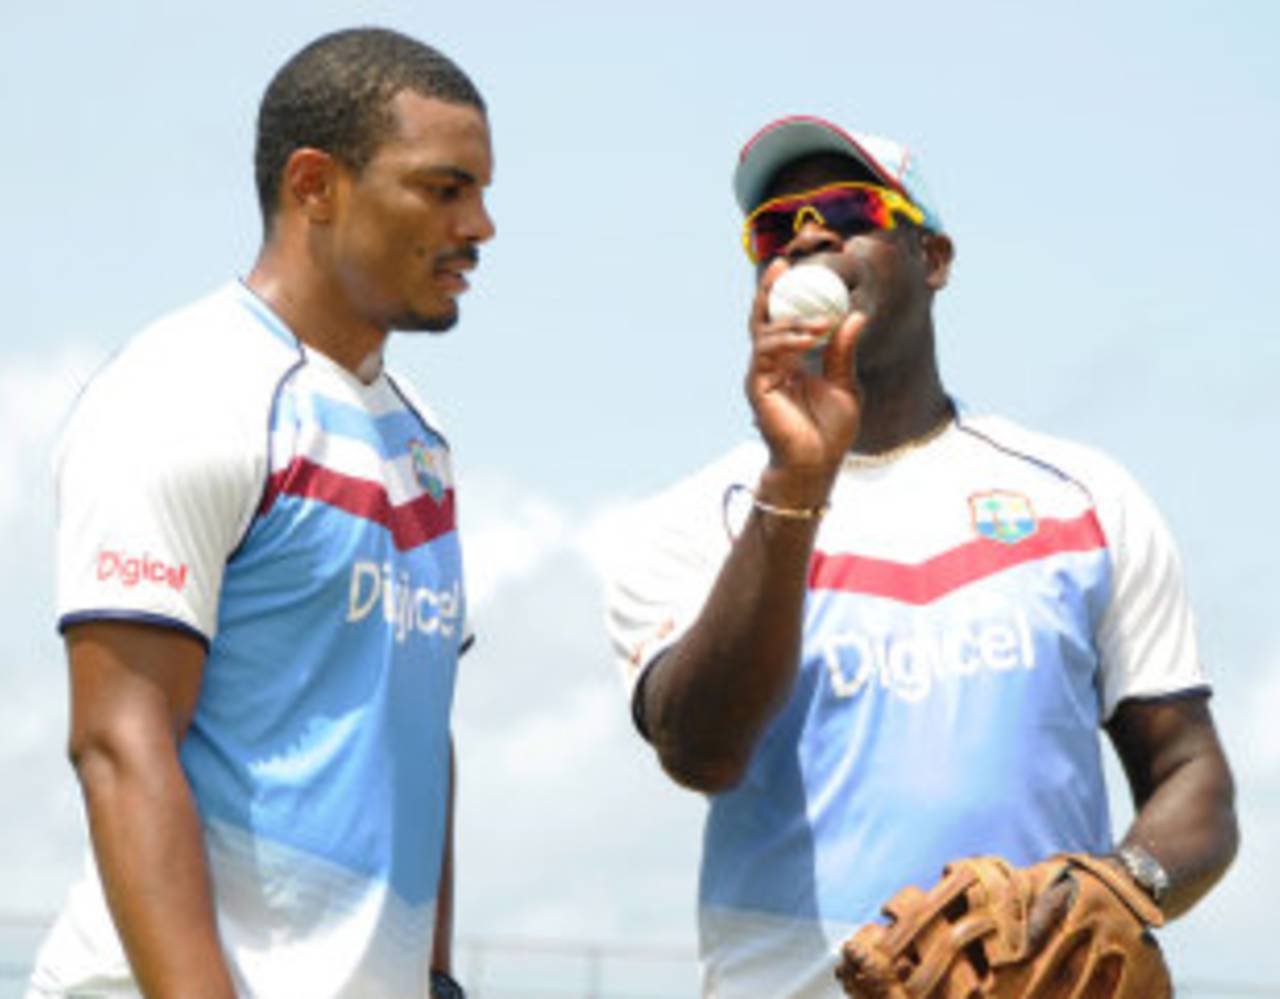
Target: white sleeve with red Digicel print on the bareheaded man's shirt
(163,463)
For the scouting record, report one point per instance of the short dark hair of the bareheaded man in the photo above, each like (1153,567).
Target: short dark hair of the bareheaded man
(333,97)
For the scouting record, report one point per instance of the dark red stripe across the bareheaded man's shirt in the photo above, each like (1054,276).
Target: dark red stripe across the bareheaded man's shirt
(410,524)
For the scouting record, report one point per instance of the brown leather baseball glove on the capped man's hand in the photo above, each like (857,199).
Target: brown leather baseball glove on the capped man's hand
(968,938)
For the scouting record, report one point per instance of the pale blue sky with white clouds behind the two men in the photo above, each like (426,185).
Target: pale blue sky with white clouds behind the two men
(1108,172)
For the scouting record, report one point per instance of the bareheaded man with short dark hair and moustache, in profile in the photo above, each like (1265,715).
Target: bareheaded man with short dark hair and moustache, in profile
(260,582)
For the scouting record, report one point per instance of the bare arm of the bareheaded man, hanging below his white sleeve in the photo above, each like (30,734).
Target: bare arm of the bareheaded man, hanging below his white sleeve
(134,692)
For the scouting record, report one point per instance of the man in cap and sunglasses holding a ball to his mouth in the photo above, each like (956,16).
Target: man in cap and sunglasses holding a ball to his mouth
(889,632)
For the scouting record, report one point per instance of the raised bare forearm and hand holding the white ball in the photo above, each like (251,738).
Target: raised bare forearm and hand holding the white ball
(707,701)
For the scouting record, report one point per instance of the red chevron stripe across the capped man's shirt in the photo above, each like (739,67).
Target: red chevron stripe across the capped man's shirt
(935,578)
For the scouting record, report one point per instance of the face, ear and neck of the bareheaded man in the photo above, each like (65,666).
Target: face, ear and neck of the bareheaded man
(356,254)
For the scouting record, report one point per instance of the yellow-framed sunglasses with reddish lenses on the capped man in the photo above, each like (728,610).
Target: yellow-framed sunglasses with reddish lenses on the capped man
(848,208)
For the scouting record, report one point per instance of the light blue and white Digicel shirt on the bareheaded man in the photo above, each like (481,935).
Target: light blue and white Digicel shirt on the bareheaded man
(221,478)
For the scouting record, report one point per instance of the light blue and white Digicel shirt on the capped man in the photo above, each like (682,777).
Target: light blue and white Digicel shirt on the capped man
(976,610)
